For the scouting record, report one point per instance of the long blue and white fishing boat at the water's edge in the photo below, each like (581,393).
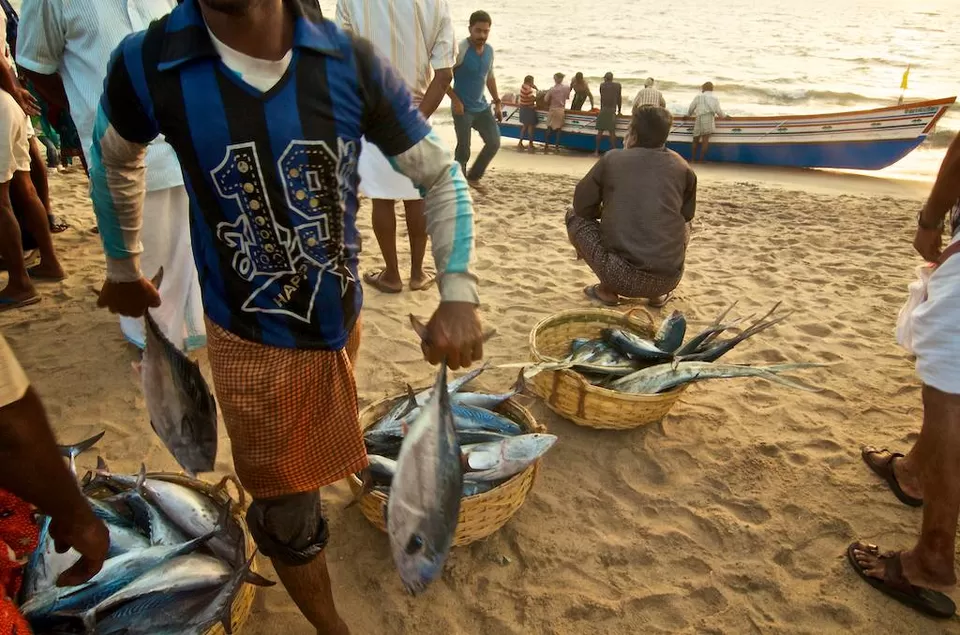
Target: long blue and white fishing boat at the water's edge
(858,140)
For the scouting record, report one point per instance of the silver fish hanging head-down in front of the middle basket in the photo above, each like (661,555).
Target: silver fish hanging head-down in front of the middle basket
(424,502)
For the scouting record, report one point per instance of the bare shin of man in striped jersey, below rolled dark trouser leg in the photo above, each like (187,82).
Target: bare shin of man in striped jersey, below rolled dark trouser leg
(309,587)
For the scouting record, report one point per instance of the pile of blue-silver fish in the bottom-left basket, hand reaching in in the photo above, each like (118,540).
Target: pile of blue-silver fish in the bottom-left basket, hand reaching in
(176,562)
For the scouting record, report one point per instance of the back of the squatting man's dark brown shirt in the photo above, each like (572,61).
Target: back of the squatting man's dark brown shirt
(649,196)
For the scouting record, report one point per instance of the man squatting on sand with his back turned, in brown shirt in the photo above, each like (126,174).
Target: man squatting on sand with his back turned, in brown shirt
(630,215)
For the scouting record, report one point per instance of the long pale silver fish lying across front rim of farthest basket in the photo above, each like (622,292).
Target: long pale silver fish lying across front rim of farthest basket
(663,377)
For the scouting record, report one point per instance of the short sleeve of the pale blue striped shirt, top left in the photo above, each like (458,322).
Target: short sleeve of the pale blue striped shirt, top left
(41,36)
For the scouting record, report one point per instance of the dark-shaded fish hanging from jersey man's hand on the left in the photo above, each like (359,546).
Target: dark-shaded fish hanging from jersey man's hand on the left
(182,411)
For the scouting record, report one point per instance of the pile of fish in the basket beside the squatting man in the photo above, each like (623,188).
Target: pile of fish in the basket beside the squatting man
(626,361)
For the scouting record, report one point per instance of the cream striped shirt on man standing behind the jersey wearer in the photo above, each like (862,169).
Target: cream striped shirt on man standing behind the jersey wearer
(414,35)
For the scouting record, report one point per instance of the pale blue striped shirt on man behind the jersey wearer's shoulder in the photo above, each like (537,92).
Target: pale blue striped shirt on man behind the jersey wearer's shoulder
(75,38)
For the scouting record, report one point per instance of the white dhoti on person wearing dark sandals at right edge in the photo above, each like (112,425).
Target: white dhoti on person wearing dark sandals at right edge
(936,329)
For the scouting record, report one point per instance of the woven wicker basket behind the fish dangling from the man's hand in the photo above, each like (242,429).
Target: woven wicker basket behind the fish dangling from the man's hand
(480,515)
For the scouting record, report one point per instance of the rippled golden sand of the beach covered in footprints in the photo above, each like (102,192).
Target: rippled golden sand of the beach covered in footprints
(733,519)
